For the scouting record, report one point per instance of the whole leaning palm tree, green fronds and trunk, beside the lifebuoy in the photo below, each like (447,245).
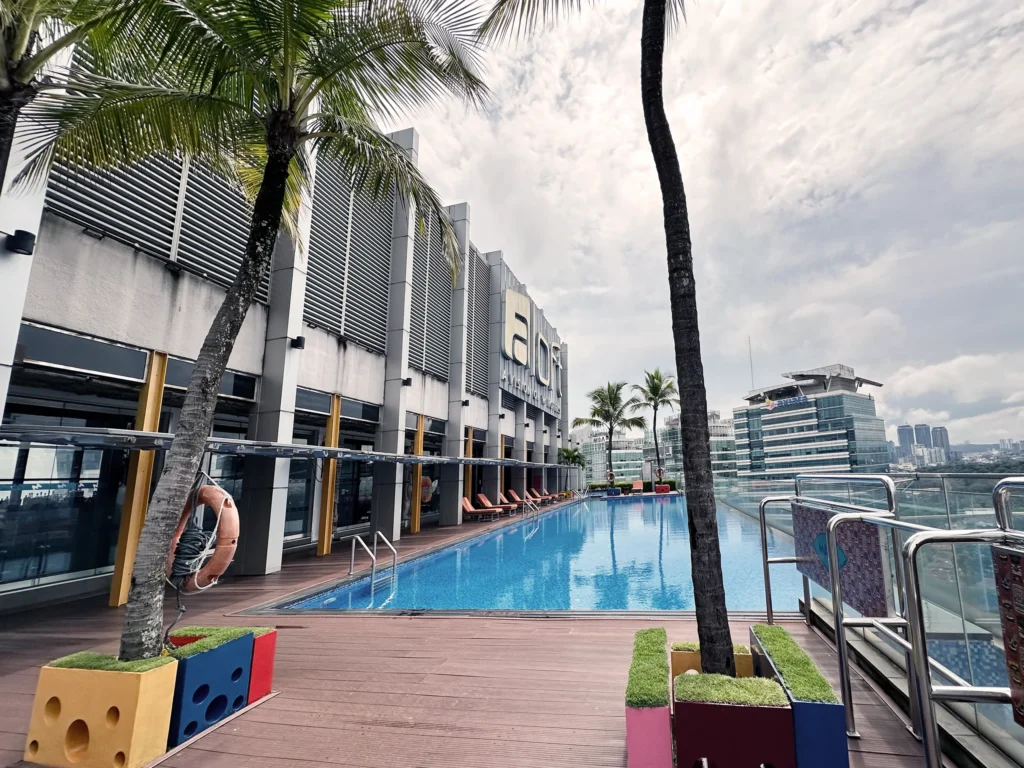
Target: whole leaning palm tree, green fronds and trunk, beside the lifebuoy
(259,86)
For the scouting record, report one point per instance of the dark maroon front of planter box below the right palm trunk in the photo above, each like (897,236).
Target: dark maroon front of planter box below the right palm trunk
(734,737)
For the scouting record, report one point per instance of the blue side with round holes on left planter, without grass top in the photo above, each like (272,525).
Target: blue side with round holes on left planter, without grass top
(209,688)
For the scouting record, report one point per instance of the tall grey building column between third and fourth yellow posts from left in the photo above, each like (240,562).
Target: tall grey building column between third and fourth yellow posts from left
(451,475)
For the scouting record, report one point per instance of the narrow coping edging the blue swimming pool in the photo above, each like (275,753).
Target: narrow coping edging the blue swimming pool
(275,608)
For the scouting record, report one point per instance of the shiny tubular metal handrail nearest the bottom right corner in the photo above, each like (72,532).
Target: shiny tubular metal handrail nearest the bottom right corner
(924,693)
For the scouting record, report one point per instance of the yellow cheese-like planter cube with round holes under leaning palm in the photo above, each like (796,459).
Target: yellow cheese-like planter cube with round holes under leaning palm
(93,711)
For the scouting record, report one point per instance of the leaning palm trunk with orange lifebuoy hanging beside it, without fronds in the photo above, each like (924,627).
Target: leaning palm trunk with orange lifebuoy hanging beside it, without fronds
(143,635)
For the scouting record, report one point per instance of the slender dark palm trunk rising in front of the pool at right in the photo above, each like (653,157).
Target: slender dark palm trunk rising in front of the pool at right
(709,591)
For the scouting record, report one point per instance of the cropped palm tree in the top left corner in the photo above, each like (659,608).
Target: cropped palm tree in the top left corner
(34,34)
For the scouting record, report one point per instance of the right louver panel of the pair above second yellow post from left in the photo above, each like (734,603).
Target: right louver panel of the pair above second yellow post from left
(365,319)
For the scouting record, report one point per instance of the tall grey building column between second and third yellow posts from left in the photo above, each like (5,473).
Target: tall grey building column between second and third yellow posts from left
(388,493)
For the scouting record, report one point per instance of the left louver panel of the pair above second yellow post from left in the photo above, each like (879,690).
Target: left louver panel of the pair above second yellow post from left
(329,244)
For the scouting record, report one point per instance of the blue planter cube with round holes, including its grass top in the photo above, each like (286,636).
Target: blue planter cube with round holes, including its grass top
(215,665)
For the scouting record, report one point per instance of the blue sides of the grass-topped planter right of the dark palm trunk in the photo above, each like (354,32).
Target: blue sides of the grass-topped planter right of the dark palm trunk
(820,730)
